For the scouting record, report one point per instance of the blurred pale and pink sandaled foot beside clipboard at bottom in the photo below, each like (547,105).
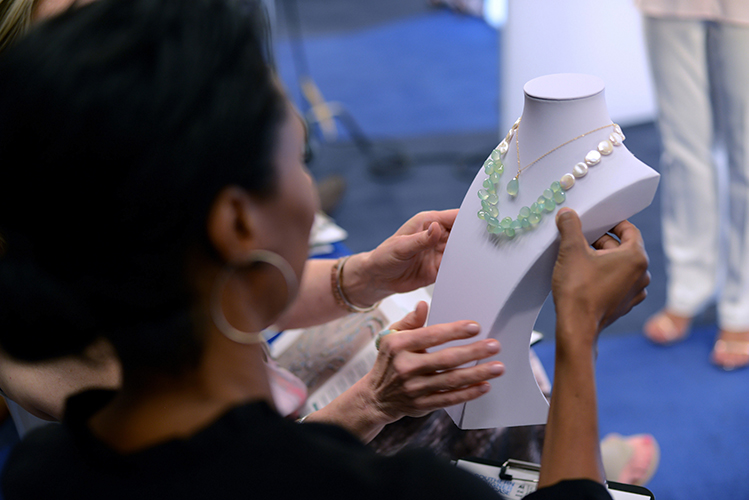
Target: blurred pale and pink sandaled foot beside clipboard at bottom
(631,459)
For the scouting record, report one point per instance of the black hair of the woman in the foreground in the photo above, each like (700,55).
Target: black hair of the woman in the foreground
(120,121)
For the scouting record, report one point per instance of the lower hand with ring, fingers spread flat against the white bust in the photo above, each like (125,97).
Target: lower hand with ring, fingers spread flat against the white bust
(406,380)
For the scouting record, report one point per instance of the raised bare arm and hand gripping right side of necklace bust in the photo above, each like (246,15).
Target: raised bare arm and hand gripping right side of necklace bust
(591,289)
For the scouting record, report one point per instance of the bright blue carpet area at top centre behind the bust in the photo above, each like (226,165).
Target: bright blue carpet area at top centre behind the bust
(431,74)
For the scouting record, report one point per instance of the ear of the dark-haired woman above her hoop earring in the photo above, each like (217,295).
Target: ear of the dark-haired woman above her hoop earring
(230,224)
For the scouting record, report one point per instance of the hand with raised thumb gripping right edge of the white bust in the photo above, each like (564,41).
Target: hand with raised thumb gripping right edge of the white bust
(597,284)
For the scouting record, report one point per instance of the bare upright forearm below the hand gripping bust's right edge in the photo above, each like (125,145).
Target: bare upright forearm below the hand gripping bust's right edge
(571,446)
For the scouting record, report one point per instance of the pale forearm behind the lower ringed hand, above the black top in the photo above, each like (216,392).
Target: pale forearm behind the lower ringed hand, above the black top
(355,411)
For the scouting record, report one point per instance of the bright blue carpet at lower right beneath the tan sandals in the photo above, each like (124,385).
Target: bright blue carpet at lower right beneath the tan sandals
(698,413)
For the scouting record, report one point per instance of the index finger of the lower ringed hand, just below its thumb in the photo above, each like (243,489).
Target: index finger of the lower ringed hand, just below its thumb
(423,338)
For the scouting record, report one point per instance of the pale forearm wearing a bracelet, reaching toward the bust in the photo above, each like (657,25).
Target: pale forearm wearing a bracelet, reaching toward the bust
(315,303)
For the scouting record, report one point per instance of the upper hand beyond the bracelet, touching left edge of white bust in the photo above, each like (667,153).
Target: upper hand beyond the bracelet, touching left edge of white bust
(405,261)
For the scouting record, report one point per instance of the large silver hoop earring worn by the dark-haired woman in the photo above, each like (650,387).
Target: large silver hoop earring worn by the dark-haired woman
(217,311)
